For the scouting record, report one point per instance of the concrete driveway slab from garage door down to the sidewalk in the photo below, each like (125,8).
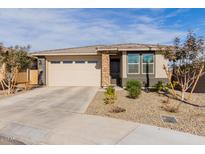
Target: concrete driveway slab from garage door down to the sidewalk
(67,99)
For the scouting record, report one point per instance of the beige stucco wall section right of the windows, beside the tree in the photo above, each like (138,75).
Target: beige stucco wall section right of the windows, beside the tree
(159,62)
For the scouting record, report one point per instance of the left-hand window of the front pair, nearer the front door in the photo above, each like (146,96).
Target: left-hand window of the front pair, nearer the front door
(133,63)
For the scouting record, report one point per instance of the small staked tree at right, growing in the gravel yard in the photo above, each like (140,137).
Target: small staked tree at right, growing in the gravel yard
(186,63)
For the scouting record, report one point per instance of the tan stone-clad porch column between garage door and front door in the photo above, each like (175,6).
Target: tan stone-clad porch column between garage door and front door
(105,73)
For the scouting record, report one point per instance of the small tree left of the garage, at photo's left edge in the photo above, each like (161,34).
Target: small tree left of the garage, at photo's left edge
(13,60)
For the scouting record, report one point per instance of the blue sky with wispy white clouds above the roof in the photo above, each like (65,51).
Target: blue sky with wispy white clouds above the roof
(61,28)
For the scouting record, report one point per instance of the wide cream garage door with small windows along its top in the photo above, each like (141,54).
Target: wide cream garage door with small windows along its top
(74,71)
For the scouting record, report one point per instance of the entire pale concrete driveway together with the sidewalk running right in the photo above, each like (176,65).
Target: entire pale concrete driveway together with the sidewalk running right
(55,116)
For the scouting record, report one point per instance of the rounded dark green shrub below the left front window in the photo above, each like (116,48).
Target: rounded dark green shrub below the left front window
(134,88)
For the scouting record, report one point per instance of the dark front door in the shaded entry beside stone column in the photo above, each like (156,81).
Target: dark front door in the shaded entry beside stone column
(115,71)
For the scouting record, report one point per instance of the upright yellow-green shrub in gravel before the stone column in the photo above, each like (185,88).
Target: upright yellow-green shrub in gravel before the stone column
(110,95)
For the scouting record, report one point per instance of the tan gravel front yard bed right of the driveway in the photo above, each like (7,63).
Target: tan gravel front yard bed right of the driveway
(148,109)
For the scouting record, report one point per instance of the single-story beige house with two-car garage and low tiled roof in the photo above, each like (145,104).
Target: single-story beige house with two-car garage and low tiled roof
(101,65)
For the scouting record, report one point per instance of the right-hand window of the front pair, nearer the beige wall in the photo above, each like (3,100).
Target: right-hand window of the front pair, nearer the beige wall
(148,64)
